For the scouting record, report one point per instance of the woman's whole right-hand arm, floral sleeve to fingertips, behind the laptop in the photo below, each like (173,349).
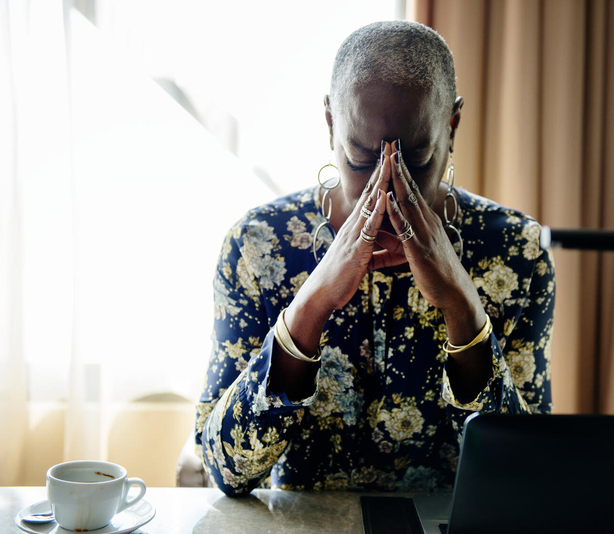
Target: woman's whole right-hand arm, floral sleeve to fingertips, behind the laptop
(478,378)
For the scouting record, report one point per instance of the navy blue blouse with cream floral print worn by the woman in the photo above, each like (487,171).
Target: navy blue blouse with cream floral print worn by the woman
(383,416)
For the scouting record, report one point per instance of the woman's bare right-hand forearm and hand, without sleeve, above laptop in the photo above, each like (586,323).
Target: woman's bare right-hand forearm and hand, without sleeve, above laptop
(440,277)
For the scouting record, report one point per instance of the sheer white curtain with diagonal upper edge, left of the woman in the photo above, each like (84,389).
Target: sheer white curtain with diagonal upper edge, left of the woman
(110,226)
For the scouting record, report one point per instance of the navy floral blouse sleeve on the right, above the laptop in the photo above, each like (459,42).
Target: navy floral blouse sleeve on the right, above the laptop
(521,307)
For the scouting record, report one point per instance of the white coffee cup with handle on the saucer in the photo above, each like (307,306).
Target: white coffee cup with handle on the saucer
(86,495)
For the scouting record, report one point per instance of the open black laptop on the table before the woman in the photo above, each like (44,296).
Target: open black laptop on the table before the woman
(516,474)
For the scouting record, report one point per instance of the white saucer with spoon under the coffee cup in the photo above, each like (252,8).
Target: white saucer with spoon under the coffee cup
(127,521)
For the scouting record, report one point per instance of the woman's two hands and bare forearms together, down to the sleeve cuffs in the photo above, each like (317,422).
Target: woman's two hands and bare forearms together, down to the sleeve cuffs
(438,274)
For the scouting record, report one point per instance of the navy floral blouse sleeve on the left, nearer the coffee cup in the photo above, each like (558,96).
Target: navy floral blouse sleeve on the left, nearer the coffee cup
(241,429)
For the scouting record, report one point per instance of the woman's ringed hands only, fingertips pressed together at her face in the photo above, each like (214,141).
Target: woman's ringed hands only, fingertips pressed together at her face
(420,241)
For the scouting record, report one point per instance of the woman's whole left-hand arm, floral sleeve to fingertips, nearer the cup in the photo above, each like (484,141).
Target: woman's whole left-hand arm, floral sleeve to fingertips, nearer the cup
(248,419)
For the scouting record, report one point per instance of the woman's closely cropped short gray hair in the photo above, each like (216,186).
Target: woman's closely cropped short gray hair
(402,53)
